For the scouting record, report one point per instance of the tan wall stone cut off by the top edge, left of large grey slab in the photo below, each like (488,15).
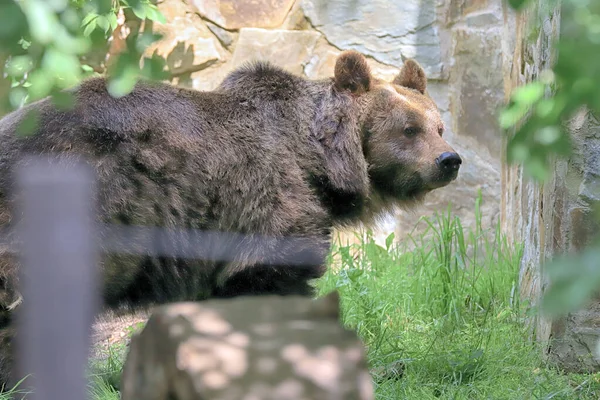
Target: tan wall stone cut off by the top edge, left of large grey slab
(237,14)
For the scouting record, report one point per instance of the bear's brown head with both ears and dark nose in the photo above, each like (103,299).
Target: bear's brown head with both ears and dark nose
(401,128)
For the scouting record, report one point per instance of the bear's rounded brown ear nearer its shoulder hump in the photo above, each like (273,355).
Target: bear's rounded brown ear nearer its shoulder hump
(352,73)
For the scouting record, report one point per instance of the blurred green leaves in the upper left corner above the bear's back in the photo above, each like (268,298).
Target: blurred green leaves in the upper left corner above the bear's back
(50,45)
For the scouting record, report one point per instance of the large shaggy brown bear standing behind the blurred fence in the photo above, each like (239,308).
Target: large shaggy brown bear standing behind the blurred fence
(266,153)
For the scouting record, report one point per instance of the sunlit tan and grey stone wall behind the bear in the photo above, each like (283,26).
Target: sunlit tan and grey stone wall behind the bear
(458,42)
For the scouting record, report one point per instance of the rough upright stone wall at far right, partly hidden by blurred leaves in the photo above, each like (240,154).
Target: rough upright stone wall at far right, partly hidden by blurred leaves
(555,217)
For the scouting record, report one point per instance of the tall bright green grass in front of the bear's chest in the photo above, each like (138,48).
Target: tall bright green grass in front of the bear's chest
(443,320)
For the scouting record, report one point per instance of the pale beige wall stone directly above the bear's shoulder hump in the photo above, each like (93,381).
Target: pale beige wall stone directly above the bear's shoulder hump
(291,50)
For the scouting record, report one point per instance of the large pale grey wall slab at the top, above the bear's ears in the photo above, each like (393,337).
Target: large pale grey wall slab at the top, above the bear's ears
(387,30)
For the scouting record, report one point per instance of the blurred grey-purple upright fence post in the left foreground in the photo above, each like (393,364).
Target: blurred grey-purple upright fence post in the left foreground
(58,277)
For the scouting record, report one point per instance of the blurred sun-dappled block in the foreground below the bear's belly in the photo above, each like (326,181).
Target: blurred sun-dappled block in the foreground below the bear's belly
(267,348)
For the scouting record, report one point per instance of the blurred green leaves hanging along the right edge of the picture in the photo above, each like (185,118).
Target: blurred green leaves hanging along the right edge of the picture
(536,121)
